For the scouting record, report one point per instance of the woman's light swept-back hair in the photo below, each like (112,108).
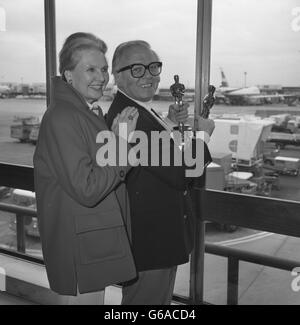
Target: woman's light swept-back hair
(68,56)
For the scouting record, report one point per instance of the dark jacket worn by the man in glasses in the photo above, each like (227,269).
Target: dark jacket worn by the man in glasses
(160,203)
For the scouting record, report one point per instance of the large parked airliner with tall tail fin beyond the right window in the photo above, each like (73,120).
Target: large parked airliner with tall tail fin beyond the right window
(249,95)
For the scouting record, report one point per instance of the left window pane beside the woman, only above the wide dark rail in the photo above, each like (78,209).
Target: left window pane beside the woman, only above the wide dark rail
(22,78)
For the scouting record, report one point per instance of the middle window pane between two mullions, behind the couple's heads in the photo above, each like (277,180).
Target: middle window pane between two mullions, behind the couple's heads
(170,28)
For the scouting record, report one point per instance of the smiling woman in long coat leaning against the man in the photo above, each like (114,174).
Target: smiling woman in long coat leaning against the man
(80,205)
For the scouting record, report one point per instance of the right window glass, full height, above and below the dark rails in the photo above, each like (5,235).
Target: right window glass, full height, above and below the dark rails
(256,66)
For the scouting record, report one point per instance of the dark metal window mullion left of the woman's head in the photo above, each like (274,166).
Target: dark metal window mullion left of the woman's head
(50,44)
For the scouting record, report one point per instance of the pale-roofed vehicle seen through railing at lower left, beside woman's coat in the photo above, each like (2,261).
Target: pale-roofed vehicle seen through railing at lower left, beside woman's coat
(26,199)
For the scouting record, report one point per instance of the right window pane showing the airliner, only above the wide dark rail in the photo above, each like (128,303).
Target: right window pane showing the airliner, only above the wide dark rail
(257,97)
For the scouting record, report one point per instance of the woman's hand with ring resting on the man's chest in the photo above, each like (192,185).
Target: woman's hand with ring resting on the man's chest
(129,116)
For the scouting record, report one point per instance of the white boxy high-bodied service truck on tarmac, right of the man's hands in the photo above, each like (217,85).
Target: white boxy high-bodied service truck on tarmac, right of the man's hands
(245,138)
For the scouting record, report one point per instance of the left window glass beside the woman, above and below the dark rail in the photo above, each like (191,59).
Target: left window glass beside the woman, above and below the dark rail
(22,104)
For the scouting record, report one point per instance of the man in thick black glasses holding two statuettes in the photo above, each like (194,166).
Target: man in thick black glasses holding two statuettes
(162,219)
